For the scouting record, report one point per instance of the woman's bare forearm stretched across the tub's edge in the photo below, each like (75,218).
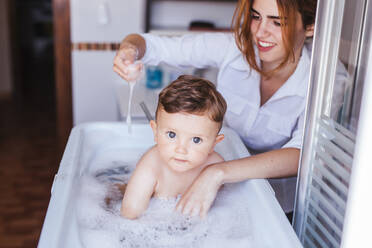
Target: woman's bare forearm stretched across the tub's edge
(272,164)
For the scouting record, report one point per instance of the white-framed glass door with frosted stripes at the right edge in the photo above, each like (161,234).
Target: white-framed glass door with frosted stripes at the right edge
(333,160)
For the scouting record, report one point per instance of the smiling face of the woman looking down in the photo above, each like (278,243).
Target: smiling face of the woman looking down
(267,33)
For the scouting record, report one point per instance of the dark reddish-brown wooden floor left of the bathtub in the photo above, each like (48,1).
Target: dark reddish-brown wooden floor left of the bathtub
(28,162)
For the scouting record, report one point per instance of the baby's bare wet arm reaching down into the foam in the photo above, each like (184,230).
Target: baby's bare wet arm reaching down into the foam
(140,188)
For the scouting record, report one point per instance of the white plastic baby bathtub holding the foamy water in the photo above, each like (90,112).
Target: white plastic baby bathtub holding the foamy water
(60,229)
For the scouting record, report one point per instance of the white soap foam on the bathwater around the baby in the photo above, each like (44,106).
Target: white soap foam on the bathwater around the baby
(100,223)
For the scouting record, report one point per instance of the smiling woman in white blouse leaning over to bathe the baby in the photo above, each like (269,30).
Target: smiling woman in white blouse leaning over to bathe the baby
(263,75)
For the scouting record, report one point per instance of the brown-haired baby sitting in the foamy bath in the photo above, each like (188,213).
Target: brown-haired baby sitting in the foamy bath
(189,117)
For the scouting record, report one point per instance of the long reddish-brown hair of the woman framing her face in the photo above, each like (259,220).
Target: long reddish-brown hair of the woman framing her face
(287,8)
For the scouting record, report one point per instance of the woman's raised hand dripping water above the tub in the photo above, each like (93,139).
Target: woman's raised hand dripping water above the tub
(125,65)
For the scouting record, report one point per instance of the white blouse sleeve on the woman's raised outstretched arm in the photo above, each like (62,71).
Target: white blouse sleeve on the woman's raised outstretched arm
(197,50)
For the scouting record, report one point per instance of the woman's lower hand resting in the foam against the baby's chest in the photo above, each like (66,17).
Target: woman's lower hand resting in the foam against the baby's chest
(199,197)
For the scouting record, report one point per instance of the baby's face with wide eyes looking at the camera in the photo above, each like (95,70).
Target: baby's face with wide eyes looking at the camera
(185,140)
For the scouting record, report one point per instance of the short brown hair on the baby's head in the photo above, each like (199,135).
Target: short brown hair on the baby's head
(193,95)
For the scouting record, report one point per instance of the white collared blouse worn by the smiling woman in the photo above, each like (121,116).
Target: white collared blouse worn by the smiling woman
(276,124)
